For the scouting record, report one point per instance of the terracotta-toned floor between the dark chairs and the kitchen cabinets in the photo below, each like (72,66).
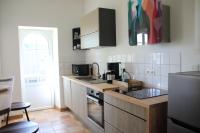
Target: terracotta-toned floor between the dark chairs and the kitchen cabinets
(54,121)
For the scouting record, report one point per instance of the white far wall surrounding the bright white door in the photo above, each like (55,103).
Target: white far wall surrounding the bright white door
(63,14)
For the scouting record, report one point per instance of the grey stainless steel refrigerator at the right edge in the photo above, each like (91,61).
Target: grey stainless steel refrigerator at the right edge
(184,102)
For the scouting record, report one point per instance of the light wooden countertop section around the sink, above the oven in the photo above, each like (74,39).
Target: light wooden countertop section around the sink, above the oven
(98,87)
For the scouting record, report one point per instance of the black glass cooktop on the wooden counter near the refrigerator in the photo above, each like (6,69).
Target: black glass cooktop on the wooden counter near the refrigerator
(147,93)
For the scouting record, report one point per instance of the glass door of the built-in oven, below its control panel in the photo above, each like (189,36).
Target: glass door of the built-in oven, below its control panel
(95,110)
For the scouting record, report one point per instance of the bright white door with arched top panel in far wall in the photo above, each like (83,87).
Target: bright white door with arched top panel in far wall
(37,66)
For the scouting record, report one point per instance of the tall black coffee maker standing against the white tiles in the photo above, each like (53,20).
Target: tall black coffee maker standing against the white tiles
(115,67)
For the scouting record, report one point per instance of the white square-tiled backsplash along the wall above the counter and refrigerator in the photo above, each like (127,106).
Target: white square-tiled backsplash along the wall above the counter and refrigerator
(151,67)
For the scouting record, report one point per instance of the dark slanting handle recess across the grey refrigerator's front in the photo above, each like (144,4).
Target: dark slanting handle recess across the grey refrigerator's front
(182,124)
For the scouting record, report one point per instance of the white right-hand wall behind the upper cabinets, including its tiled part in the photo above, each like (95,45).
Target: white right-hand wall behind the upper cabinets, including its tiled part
(182,51)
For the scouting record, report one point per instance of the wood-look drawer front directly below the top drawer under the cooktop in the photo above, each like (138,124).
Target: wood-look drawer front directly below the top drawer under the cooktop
(124,121)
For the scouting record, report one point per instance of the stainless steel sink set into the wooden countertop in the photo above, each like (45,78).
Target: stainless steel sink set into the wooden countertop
(91,80)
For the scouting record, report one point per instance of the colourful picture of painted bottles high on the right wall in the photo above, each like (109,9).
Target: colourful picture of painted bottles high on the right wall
(146,22)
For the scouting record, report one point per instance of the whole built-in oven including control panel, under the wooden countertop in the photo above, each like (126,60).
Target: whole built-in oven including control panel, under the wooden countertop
(95,107)
